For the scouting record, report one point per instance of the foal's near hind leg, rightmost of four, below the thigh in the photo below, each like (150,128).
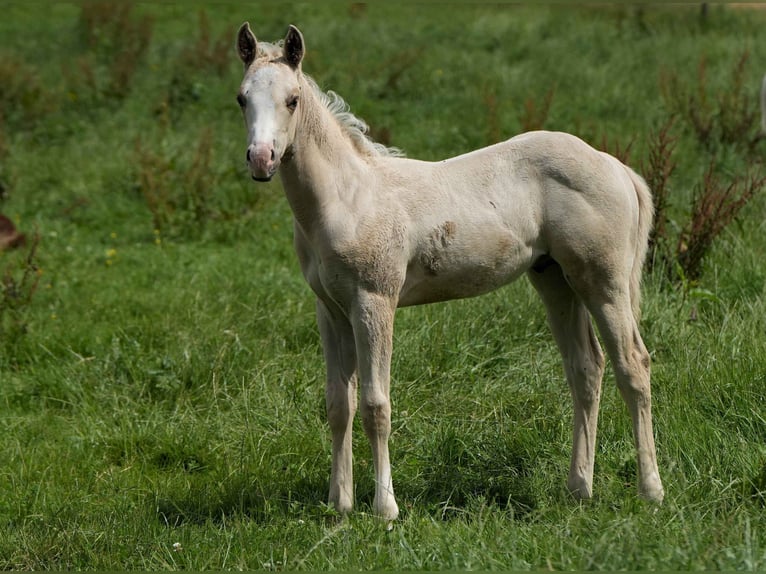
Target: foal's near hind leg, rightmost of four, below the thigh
(611,309)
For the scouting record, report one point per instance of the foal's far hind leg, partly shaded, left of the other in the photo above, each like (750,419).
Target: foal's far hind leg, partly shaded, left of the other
(583,365)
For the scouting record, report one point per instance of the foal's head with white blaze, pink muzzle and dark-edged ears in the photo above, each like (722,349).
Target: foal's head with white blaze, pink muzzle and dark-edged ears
(269,97)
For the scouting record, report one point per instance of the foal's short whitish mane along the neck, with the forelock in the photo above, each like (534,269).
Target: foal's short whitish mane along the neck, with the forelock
(356,128)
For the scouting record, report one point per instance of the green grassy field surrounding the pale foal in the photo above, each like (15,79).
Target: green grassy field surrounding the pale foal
(161,380)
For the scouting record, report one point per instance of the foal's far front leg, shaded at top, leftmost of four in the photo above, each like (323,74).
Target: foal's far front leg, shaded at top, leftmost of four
(340,397)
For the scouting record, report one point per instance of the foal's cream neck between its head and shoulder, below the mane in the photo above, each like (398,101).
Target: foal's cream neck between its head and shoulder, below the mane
(323,166)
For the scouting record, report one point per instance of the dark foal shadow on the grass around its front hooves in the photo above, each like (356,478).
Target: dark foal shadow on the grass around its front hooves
(444,485)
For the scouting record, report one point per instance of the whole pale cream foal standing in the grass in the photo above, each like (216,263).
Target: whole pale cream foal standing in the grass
(374,231)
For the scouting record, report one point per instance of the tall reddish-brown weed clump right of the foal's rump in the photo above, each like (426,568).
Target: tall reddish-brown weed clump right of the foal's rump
(726,120)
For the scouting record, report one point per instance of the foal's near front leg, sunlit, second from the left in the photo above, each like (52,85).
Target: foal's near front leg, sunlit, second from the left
(372,318)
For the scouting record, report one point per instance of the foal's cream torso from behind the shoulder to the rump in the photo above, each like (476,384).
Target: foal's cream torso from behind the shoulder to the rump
(483,218)
